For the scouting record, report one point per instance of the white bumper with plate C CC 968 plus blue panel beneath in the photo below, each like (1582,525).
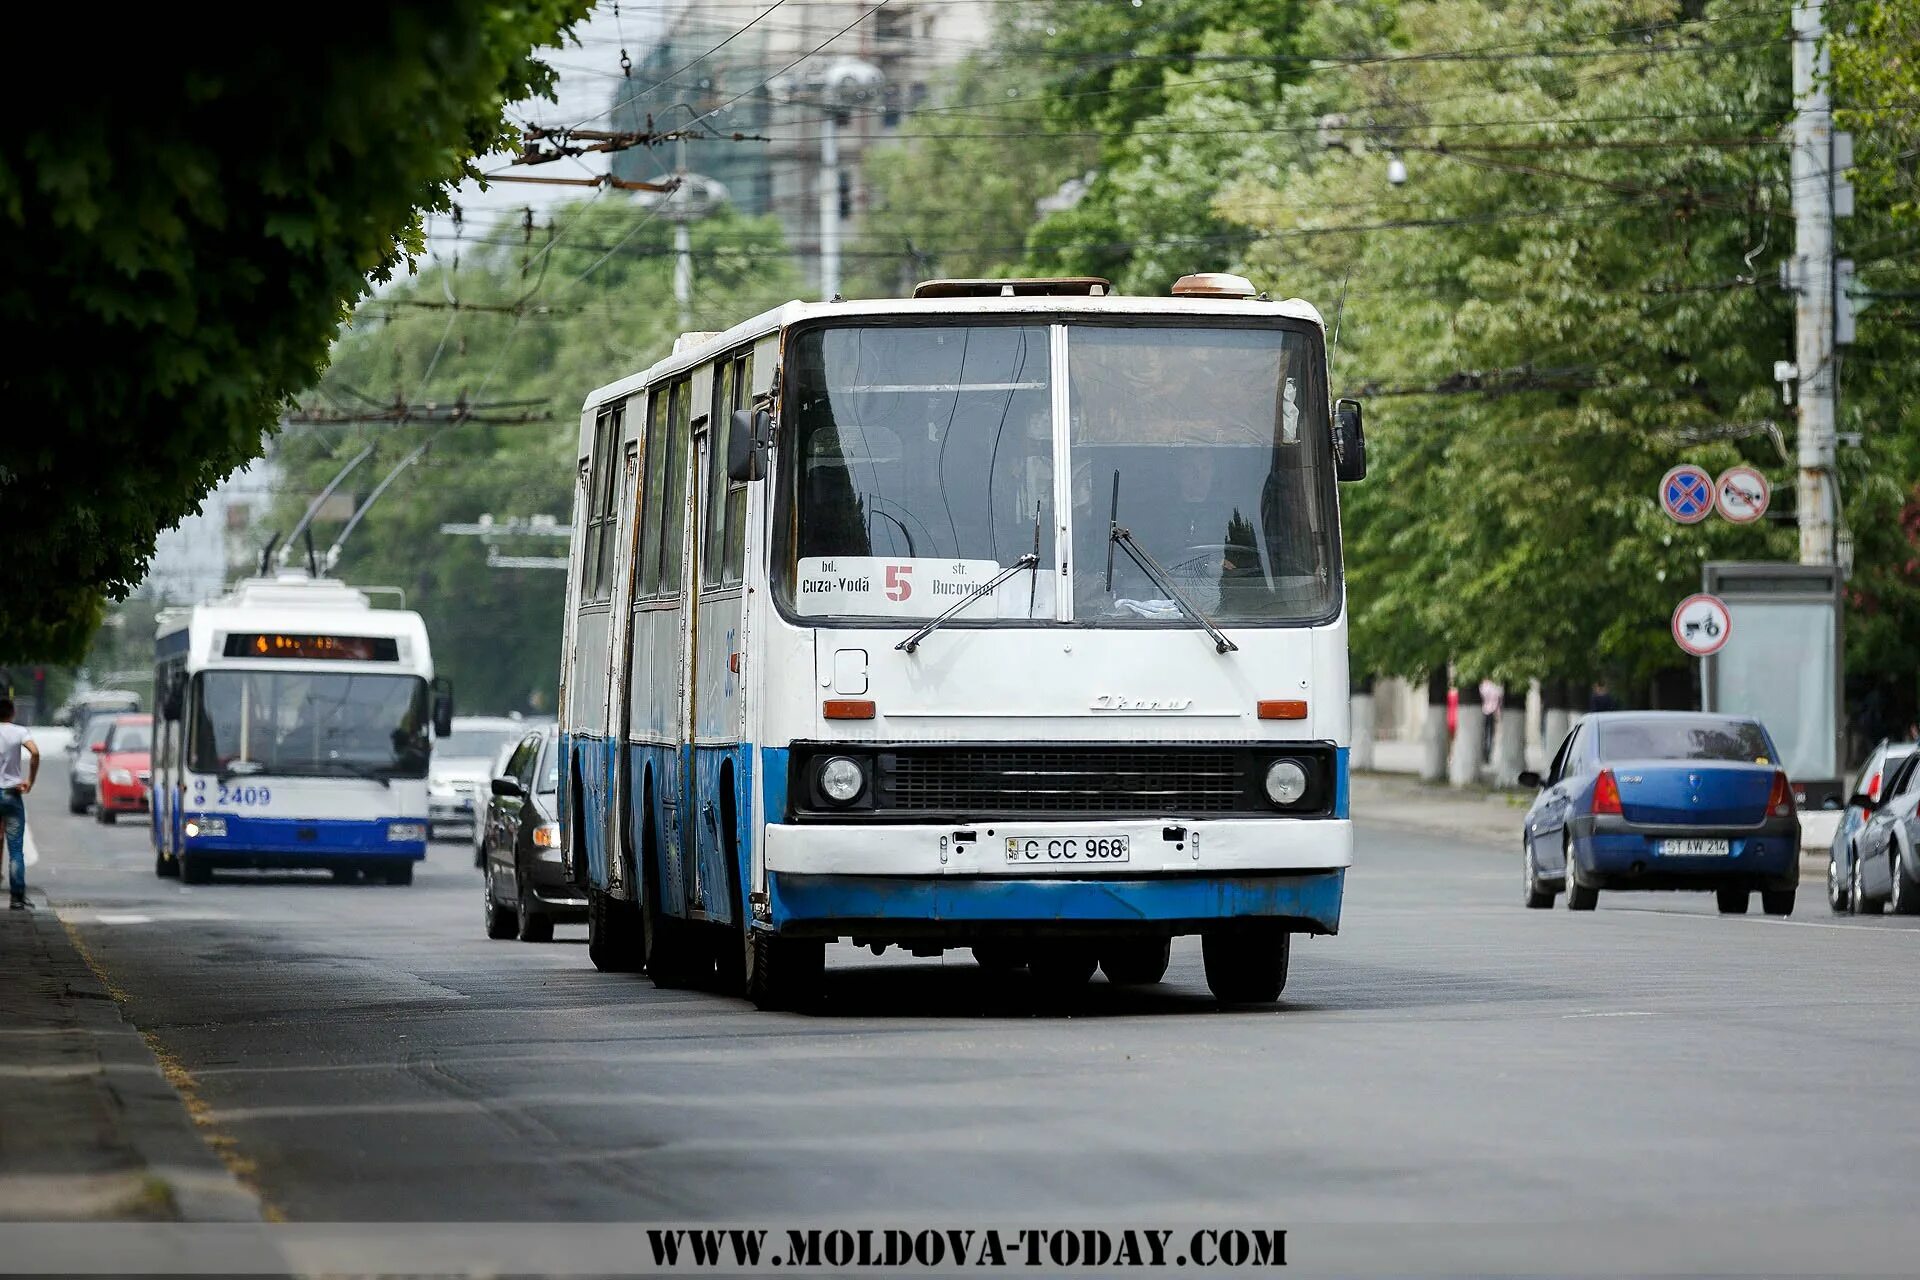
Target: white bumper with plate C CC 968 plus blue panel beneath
(1019,880)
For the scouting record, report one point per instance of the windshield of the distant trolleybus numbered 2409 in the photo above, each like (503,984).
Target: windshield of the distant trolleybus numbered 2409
(310,724)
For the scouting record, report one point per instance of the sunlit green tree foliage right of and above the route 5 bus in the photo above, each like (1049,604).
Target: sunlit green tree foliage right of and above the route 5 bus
(1575,289)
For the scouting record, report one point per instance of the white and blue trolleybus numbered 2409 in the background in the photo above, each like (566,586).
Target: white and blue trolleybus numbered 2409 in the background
(293,732)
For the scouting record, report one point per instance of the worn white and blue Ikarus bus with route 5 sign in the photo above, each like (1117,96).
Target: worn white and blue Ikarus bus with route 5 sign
(1007,617)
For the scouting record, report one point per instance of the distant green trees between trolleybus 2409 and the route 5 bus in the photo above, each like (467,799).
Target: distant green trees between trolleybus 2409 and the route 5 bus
(573,312)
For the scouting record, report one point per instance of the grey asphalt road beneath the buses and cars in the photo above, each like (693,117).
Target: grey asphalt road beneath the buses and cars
(1449,1058)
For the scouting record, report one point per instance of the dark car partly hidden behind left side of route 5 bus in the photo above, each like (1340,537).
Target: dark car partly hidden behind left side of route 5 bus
(525,884)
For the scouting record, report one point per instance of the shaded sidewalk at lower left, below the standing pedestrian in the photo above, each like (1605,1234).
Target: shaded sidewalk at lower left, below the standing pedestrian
(89,1126)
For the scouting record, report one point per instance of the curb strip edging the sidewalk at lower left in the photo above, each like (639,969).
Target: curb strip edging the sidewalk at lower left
(149,1112)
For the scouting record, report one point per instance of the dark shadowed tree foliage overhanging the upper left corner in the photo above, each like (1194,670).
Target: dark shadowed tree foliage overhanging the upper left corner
(181,245)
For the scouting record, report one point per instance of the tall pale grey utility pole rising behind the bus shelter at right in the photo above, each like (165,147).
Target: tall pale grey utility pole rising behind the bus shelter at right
(1813,275)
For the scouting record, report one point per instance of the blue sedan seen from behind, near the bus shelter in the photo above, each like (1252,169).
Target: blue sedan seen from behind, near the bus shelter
(1664,801)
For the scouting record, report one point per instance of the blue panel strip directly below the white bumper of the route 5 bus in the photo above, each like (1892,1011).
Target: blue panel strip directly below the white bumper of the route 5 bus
(1310,903)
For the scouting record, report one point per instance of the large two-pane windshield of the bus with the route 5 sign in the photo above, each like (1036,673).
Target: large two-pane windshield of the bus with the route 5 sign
(923,462)
